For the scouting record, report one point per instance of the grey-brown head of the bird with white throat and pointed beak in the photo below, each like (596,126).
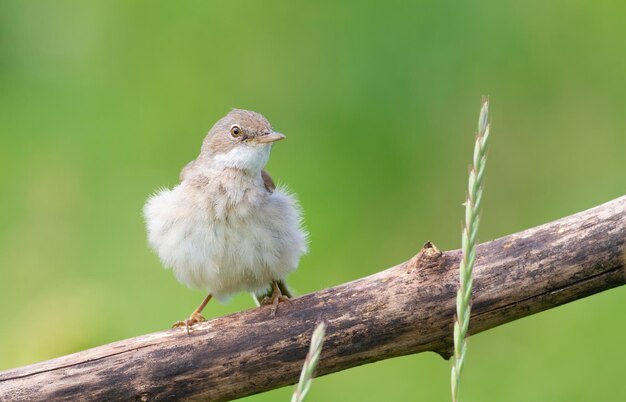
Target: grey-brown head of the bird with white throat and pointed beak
(240,140)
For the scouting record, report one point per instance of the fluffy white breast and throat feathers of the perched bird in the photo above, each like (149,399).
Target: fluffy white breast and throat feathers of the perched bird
(225,232)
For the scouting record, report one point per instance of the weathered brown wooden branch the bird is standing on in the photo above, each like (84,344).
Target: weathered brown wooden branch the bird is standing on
(406,309)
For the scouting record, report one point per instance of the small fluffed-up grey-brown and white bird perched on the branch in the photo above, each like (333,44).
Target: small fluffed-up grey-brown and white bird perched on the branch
(226,227)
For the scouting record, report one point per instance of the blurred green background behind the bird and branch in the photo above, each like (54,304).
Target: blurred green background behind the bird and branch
(103,102)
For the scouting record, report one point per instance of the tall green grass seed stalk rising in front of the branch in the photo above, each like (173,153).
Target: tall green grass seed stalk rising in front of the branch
(468,245)
